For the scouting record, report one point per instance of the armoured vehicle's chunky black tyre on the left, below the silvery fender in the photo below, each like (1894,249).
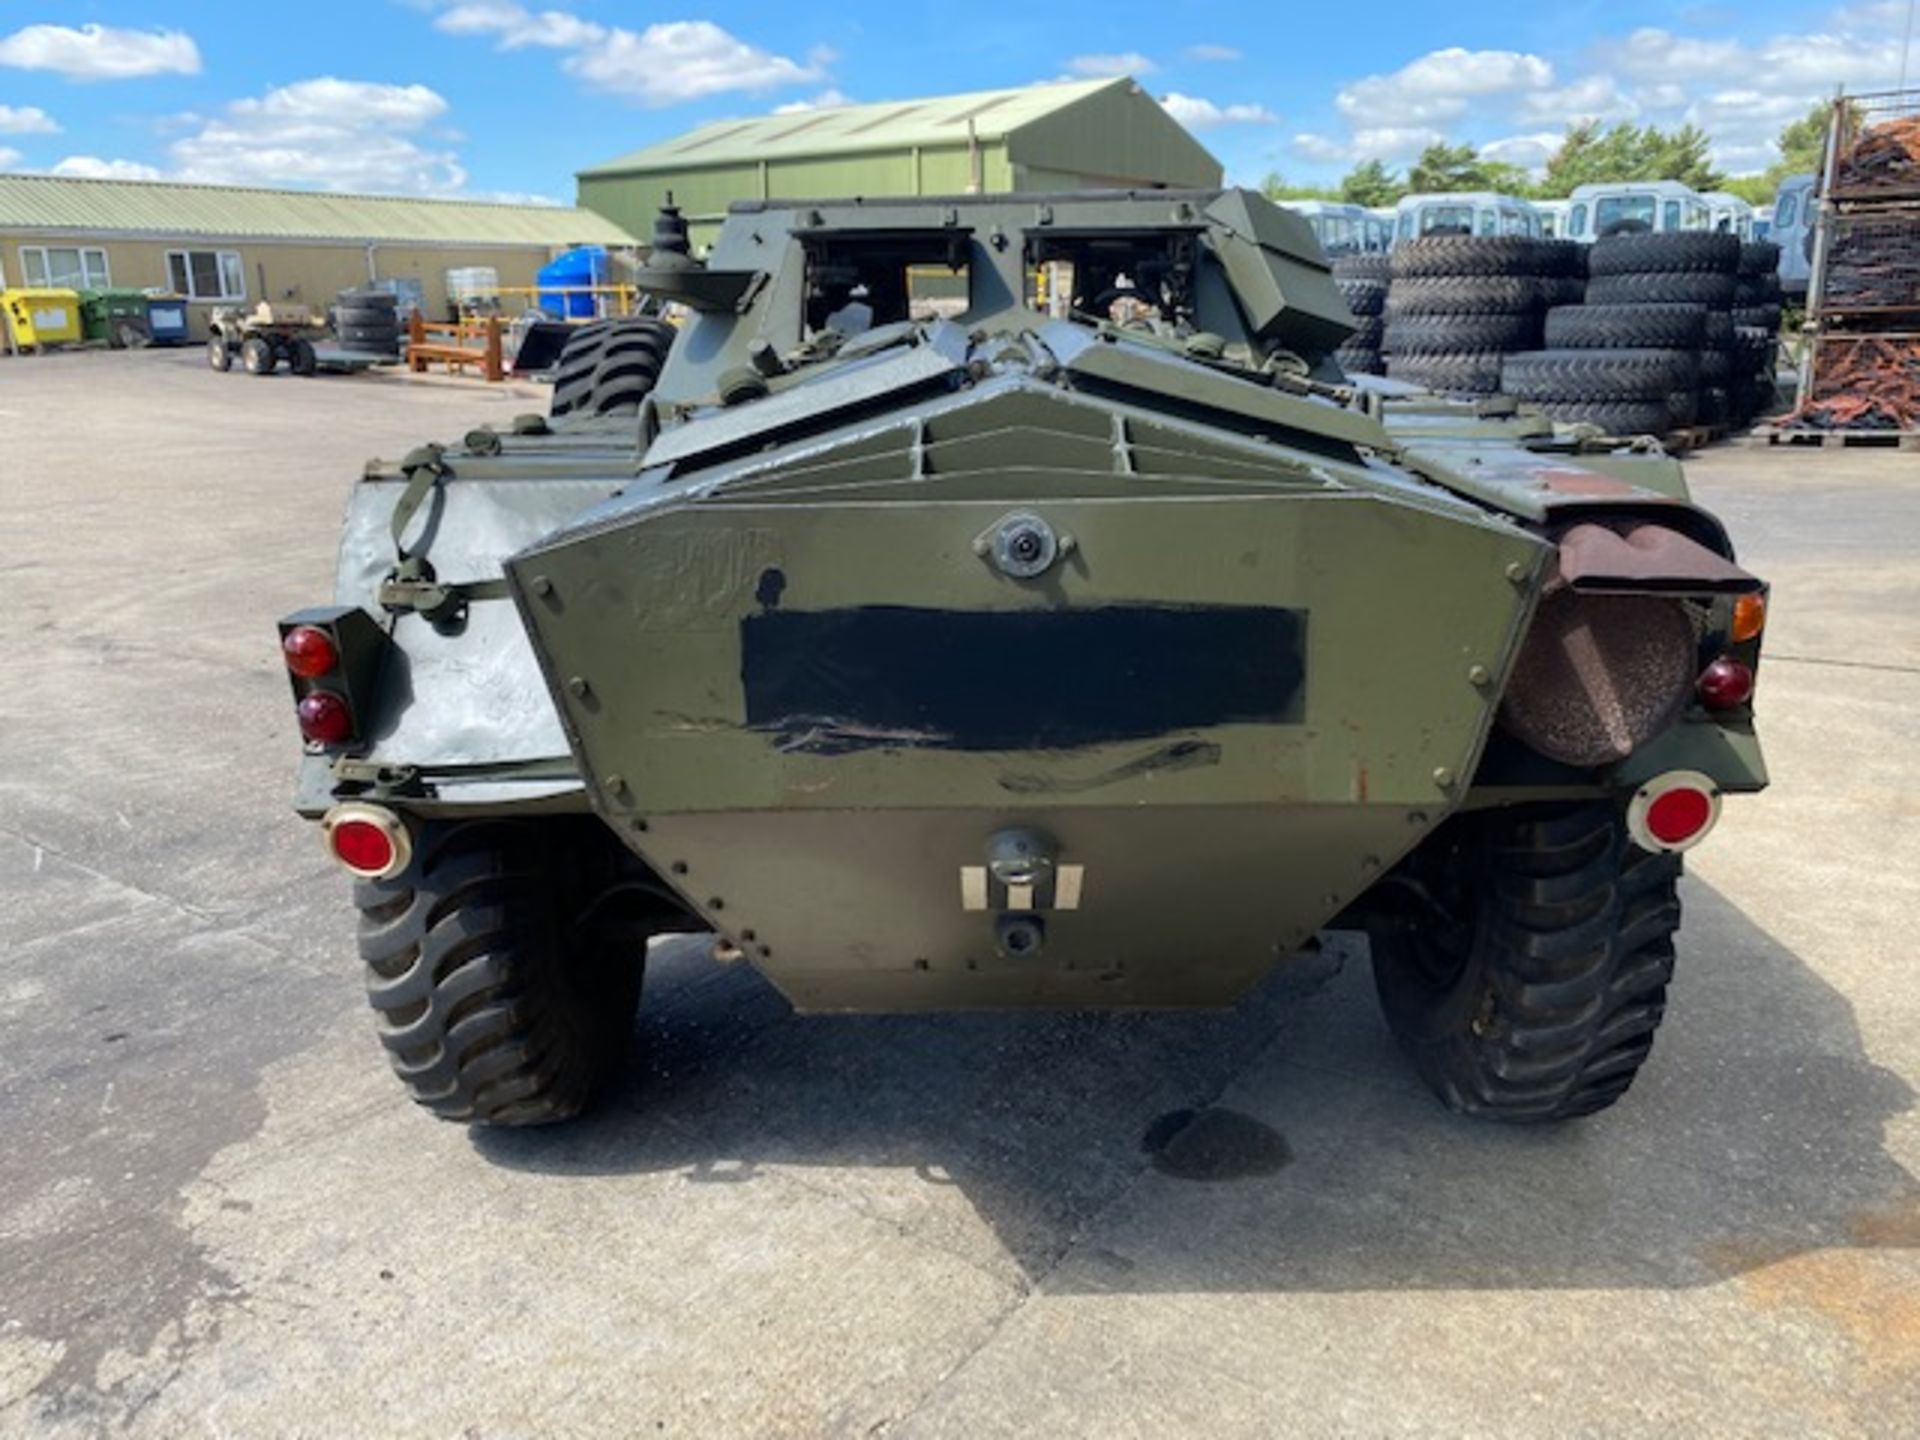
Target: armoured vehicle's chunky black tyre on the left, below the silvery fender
(502,996)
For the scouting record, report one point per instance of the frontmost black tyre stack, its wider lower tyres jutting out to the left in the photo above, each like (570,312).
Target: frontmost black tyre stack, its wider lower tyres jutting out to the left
(1652,347)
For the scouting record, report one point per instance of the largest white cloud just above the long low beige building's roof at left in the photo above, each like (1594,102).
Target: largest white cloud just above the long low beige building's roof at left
(327,133)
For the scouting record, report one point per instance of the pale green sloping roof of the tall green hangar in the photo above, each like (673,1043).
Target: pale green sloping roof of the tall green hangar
(855,130)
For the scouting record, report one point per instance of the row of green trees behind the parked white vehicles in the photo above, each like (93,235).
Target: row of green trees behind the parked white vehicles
(1593,155)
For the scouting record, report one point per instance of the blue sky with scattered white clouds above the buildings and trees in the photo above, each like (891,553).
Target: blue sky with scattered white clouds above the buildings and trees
(498,99)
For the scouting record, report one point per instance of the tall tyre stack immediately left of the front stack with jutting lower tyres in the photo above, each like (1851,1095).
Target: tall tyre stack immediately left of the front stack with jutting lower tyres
(1460,304)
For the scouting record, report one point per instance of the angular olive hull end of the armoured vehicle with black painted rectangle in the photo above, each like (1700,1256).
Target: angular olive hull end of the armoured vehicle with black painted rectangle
(901,763)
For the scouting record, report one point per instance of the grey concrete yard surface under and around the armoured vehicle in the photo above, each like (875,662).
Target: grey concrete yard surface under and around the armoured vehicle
(220,1214)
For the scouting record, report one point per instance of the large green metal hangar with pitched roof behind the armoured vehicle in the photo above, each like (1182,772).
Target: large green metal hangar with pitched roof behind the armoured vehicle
(1090,135)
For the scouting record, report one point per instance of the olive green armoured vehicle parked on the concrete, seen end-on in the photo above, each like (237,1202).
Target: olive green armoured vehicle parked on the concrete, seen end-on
(1005,602)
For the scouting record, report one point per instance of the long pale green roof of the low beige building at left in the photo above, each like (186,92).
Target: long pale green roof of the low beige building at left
(53,203)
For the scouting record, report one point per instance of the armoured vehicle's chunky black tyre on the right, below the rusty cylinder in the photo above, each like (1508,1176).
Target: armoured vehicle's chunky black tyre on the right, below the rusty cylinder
(1533,986)
